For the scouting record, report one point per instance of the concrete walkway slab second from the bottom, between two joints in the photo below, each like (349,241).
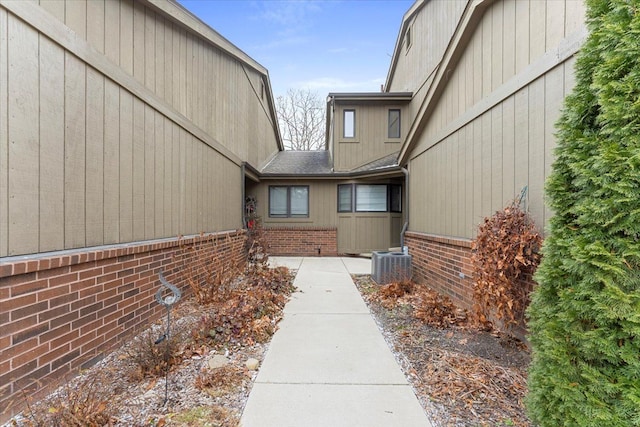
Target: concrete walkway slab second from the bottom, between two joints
(330,349)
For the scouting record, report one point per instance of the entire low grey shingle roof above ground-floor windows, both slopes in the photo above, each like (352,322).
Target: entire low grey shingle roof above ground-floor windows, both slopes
(319,163)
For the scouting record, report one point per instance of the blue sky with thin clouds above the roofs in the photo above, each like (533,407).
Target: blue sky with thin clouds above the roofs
(326,46)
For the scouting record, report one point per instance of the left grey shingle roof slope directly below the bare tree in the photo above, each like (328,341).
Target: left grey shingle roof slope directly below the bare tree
(300,163)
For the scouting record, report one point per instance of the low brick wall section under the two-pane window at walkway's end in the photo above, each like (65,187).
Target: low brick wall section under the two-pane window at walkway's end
(302,241)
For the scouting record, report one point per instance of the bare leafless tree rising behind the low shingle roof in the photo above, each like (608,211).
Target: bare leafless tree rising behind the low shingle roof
(301,116)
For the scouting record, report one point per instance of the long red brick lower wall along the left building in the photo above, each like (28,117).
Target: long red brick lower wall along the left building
(65,311)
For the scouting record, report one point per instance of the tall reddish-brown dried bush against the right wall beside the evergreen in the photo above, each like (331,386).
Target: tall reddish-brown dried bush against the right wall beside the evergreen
(505,256)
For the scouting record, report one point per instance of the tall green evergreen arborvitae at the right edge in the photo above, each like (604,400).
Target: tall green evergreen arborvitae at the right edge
(584,318)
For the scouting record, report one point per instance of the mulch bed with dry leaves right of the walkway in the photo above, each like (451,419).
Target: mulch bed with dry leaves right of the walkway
(462,375)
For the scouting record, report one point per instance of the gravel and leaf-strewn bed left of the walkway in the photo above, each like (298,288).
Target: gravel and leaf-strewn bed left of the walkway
(129,386)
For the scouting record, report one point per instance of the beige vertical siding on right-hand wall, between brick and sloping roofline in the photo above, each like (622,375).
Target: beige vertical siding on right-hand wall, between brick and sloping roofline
(508,130)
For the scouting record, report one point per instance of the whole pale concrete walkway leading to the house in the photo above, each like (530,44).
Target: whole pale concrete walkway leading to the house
(328,364)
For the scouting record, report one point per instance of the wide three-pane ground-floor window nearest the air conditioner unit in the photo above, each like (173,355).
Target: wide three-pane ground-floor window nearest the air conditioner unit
(370,198)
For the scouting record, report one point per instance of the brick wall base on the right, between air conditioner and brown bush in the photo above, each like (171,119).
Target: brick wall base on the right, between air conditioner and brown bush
(443,264)
